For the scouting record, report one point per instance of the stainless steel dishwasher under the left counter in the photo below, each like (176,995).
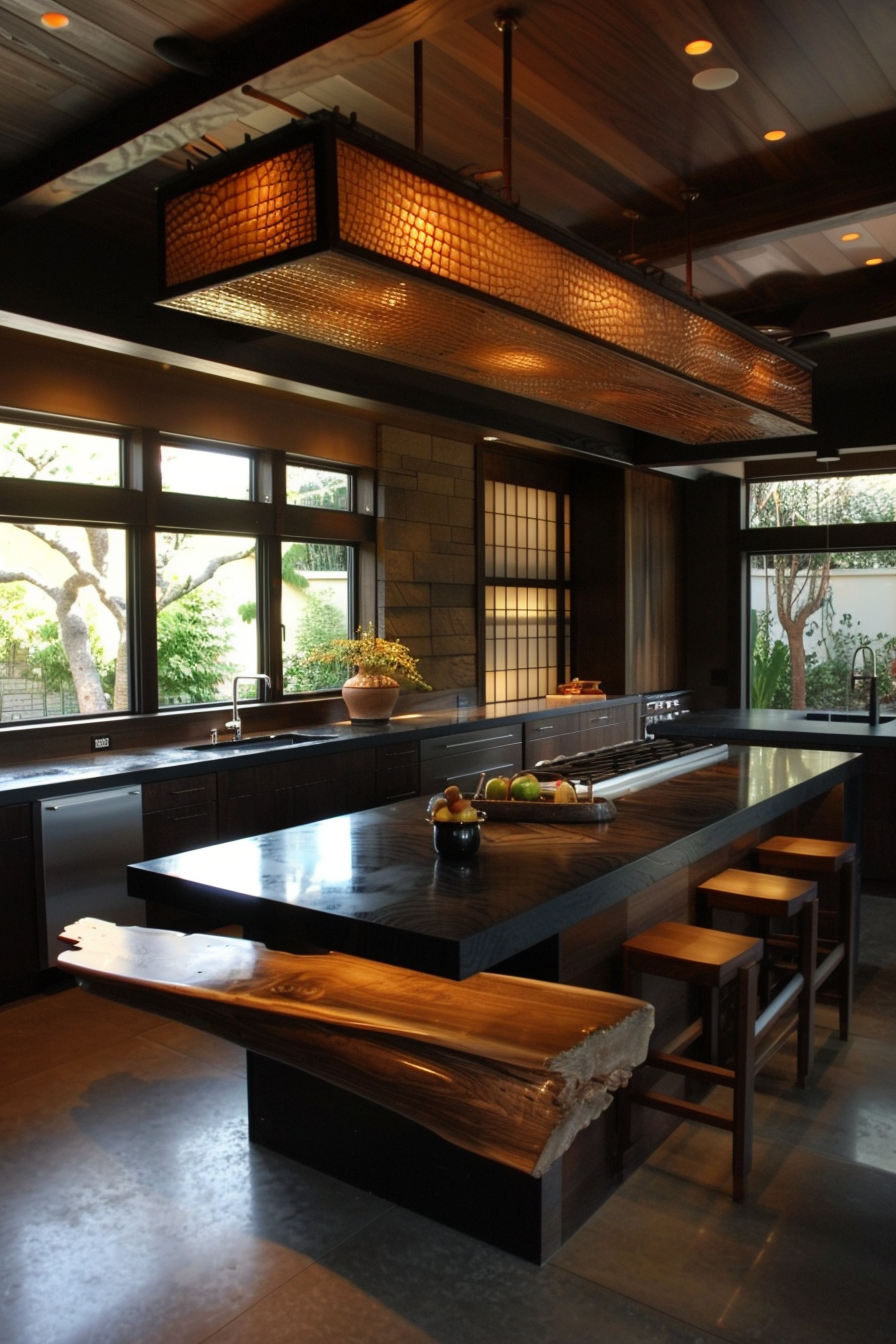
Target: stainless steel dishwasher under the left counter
(87,842)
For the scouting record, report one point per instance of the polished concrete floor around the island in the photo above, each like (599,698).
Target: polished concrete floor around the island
(134,1210)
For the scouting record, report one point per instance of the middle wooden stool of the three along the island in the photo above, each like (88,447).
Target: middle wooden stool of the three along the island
(772,897)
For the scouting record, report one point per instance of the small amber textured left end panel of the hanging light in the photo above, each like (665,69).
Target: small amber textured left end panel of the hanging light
(259,213)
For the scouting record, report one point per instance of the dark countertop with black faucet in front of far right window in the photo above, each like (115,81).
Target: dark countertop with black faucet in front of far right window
(780,726)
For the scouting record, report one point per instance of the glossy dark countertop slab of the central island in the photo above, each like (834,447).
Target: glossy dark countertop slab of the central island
(371,884)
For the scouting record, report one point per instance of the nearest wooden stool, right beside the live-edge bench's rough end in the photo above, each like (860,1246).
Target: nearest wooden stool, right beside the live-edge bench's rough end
(709,959)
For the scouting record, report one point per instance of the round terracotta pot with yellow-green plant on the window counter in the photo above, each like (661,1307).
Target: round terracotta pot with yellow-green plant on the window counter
(371,693)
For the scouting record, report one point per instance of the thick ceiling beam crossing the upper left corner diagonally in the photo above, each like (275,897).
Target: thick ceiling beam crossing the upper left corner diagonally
(109,142)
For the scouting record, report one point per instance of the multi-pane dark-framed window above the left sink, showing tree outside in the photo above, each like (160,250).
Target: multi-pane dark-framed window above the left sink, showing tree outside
(142,575)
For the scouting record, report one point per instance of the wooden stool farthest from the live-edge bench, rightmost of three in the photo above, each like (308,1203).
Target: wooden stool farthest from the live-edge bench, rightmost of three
(820,858)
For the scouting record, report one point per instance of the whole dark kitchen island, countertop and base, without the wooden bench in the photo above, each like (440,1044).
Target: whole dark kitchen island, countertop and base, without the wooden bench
(553,902)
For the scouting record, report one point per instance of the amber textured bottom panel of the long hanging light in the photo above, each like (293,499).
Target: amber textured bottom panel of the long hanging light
(355,306)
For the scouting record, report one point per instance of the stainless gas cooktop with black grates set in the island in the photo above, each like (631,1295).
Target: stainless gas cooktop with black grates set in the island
(612,772)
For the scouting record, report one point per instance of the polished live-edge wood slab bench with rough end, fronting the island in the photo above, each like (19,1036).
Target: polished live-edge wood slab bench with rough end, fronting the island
(506,1068)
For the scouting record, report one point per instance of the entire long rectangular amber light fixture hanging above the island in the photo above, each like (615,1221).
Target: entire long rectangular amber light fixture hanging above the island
(330,235)
